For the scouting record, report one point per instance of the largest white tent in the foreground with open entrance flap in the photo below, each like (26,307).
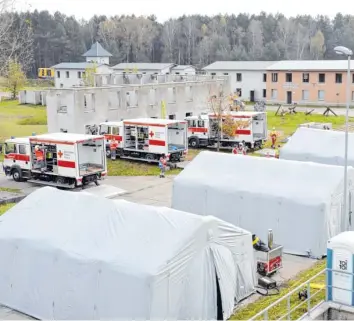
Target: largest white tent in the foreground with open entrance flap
(67,255)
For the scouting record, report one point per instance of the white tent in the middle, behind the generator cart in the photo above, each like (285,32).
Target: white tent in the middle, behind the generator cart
(301,202)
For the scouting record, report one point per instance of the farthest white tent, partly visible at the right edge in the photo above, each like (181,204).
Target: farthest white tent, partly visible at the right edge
(317,145)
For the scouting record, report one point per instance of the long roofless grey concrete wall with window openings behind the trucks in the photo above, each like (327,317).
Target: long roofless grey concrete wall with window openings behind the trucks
(74,109)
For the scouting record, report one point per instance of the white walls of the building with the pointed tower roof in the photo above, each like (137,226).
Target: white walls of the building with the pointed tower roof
(74,79)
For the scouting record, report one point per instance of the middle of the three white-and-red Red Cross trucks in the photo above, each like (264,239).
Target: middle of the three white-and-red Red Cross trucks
(146,139)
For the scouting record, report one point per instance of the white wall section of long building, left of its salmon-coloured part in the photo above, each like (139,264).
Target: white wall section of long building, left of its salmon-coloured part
(250,81)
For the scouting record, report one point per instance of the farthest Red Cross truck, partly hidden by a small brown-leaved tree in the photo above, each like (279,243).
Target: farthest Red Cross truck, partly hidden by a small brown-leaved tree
(203,130)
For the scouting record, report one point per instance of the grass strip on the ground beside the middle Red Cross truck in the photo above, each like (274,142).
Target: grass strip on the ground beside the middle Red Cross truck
(122,167)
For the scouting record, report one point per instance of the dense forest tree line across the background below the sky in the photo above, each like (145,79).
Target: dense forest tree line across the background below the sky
(43,39)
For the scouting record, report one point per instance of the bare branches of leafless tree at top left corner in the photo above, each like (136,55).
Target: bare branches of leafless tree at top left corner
(16,39)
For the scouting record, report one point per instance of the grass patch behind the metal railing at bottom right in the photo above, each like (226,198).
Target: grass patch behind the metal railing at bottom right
(280,309)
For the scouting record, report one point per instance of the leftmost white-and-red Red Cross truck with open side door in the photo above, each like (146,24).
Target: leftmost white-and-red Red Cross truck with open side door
(70,160)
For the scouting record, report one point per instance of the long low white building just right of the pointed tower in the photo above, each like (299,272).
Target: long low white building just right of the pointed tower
(144,68)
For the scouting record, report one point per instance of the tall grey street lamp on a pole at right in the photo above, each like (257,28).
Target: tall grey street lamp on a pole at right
(340,50)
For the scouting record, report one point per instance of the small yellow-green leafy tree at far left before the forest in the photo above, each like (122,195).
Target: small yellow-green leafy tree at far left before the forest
(15,78)
